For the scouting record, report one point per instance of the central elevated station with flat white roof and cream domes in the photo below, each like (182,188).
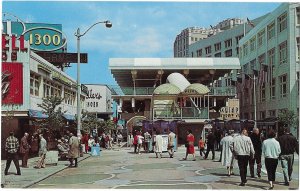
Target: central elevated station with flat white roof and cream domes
(178,93)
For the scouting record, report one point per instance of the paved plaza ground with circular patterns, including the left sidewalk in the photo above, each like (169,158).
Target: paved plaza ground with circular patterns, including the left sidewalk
(120,168)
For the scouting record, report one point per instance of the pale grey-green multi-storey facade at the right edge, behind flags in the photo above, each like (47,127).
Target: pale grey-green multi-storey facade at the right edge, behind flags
(272,49)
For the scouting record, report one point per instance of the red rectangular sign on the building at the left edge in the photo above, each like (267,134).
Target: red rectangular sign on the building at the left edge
(12,83)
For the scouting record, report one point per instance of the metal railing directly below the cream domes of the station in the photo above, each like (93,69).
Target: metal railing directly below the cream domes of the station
(169,112)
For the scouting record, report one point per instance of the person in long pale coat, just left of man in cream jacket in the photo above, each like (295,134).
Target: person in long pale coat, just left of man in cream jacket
(227,158)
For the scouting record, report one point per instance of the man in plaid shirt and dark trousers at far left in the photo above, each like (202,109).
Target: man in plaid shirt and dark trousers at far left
(11,148)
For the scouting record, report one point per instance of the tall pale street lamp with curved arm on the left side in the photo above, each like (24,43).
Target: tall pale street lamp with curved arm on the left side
(108,24)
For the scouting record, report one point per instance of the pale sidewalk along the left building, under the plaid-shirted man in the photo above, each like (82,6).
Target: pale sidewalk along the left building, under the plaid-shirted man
(31,175)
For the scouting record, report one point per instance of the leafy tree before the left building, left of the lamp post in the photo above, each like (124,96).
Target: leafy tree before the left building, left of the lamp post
(55,120)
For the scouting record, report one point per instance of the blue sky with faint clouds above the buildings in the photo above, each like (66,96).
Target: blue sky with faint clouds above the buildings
(140,29)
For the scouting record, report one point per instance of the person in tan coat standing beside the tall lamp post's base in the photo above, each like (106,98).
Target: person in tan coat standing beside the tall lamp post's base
(74,151)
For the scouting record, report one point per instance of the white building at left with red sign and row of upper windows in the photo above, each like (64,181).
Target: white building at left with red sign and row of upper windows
(26,79)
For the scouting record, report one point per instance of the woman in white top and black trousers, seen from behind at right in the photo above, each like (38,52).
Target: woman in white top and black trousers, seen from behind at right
(271,151)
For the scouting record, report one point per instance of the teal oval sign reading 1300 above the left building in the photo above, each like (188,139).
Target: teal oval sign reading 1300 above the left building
(45,38)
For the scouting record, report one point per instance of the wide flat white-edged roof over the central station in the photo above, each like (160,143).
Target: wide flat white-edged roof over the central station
(150,72)
